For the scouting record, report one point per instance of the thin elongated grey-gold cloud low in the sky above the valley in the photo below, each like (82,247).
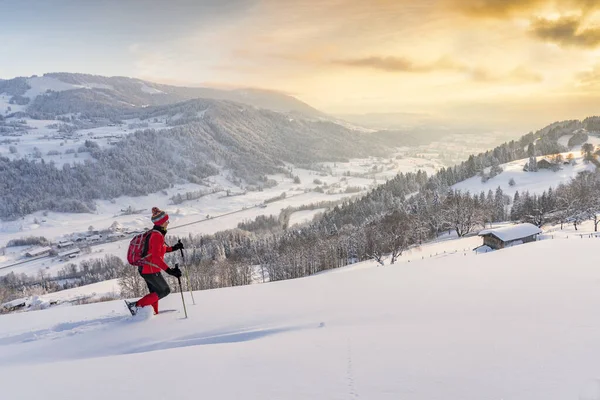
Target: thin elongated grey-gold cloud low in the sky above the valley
(402,64)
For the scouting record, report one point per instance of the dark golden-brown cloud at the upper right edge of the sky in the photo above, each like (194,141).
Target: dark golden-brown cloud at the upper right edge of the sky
(566,31)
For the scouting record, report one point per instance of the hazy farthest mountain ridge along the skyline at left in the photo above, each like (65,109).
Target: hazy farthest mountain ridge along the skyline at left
(21,93)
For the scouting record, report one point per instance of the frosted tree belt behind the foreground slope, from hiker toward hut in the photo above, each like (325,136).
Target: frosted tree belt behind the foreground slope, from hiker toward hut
(239,257)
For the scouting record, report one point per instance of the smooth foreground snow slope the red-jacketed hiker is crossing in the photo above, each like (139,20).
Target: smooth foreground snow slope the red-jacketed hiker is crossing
(517,324)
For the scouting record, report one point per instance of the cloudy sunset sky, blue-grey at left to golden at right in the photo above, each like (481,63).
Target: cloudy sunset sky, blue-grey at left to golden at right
(496,60)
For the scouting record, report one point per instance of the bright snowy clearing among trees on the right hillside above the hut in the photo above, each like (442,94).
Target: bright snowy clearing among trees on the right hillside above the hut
(534,182)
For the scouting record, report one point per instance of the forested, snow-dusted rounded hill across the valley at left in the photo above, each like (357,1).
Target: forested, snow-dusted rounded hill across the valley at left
(190,141)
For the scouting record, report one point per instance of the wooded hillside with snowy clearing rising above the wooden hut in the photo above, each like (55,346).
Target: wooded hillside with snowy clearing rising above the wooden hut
(427,200)
